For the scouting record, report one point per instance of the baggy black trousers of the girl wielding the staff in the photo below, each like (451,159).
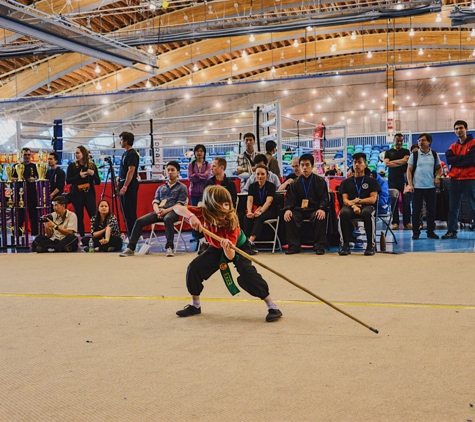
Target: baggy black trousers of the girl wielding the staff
(206,264)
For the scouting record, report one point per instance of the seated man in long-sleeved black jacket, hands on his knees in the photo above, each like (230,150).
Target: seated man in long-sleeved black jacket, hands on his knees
(306,199)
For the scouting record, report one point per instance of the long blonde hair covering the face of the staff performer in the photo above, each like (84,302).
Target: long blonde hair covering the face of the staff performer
(213,211)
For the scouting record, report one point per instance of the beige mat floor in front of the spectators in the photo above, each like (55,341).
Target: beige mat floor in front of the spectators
(95,338)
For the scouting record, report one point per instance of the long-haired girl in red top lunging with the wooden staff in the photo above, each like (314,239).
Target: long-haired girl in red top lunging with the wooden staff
(217,214)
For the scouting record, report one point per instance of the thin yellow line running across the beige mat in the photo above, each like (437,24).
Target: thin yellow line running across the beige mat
(292,302)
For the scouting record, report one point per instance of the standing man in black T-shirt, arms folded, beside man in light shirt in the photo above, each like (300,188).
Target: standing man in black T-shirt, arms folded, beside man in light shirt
(396,159)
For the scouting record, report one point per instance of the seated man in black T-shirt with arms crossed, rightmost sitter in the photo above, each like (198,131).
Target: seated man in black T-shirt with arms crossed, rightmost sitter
(359,194)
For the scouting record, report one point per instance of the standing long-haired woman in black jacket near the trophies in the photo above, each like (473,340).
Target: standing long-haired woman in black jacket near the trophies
(82,175)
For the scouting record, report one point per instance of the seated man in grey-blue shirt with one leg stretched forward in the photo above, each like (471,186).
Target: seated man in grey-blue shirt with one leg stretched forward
(166,197)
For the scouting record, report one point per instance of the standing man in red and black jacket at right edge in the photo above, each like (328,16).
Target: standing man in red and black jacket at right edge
(461,157)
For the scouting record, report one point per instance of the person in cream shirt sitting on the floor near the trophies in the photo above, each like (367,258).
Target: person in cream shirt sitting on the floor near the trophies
(61,227)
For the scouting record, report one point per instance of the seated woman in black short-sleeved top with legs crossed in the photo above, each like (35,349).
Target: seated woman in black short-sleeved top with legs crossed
(259,206)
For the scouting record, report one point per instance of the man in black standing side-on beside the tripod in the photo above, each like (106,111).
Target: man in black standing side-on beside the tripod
(128,183)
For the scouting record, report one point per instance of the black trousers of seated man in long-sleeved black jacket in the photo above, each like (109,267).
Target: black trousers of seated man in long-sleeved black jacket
(293,228)
